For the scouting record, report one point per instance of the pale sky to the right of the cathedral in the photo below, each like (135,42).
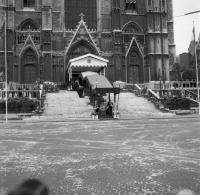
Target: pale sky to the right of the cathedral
(183,25)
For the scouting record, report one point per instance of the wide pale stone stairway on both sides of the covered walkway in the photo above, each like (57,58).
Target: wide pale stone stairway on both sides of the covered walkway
(66,105)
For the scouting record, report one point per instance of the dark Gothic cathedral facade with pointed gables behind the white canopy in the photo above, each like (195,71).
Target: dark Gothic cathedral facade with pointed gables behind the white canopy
(136,36)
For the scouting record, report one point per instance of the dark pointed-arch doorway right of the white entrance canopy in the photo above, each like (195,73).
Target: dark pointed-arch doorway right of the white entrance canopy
(135,67)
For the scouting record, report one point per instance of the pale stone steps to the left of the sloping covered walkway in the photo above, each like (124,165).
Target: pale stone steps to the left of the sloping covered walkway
(65,105)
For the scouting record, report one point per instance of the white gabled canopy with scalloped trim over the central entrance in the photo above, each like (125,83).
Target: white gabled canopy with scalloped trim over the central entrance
(88,62)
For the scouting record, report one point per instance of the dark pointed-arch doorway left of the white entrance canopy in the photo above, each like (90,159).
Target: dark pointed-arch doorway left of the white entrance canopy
(29,66)
